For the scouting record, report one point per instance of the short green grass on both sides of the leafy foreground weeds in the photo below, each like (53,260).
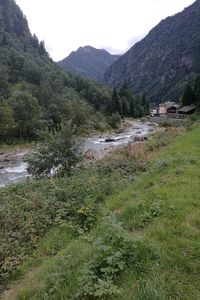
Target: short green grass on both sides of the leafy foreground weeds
(162,206)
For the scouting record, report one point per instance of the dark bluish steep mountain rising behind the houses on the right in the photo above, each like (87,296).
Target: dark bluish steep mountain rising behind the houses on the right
(165,60)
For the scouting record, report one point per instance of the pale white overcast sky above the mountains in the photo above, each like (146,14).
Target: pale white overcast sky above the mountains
(115,25)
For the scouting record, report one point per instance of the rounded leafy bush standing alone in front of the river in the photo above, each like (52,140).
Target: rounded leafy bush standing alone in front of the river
(57,155)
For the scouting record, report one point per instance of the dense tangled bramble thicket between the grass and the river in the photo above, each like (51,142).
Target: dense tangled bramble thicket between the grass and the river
(72,203)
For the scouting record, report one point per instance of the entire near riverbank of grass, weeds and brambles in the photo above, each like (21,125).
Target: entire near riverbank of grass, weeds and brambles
(125,228)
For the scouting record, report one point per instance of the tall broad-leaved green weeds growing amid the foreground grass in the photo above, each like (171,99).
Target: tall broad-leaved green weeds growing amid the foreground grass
(113,251)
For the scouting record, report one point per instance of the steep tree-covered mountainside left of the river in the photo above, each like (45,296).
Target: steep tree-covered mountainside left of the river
(35,93)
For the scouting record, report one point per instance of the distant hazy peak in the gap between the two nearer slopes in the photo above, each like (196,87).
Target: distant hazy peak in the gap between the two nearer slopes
(88,61)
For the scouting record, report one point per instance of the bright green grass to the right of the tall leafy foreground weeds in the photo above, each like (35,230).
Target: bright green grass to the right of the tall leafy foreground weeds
(164,206)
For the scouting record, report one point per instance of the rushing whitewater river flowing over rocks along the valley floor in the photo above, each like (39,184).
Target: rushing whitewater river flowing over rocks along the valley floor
(14,170)
